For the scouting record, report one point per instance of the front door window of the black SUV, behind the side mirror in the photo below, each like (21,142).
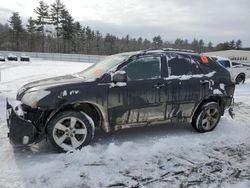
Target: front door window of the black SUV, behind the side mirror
(144,68)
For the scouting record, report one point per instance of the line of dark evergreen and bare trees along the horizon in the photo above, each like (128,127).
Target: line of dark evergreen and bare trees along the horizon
(54,30)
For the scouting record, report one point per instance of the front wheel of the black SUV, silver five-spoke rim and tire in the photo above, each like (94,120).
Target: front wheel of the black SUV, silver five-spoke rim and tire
(70,130)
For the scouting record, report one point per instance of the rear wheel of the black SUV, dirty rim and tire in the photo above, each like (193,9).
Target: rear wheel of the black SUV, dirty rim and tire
(207,117)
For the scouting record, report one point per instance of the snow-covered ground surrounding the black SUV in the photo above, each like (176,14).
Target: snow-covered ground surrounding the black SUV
(159,156)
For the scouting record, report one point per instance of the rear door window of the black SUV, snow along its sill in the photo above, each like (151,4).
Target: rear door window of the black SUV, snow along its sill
(183,66)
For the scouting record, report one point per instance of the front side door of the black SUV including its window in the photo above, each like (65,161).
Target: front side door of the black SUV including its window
(142,98)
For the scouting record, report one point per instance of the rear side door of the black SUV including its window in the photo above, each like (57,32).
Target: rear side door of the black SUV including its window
(185,80)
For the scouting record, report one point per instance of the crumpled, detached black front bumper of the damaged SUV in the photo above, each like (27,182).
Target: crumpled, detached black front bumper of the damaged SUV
(21,131)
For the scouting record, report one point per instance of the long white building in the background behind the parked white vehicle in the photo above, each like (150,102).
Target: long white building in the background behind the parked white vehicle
(242,56)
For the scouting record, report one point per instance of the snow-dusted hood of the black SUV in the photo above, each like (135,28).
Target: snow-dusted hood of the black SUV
(47,83)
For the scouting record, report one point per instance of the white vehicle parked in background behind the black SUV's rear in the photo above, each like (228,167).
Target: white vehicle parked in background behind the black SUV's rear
(239,72)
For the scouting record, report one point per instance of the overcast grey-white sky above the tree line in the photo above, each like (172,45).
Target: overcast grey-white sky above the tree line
(211,20)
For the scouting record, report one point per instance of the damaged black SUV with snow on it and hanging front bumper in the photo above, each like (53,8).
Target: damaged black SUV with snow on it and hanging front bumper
(122,91)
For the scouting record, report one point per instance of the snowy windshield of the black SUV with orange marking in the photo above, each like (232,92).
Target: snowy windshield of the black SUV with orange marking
(104,66)
